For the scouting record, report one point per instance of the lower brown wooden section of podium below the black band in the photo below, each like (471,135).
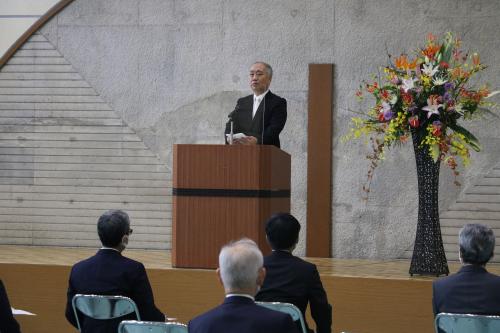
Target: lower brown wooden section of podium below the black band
(207,223)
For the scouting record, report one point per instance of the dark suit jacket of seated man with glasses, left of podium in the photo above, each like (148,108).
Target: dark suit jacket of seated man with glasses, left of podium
(110,273)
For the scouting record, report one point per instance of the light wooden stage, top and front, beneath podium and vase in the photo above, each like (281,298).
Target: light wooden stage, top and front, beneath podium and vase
(368,296)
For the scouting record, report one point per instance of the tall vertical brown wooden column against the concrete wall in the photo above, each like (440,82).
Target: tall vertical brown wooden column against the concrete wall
(319,161)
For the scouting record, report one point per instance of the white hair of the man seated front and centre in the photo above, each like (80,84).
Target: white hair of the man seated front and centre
(239,264)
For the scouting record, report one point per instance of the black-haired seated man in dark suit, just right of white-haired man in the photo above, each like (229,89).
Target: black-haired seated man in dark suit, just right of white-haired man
(290,279)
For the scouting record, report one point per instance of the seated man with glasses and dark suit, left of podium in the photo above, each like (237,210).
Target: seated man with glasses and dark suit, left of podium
(108,272)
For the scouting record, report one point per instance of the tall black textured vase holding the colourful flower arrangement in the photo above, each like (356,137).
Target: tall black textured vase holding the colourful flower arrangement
(428,253)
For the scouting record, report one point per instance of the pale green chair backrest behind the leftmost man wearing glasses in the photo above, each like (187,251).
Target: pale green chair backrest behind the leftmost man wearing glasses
(103,307)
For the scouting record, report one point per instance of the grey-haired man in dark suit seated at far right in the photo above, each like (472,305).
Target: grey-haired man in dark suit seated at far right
(472,289)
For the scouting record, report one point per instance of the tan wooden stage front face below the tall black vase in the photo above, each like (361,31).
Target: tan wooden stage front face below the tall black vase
(380,305)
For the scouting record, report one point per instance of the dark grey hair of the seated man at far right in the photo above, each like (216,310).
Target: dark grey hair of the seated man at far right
(477,243)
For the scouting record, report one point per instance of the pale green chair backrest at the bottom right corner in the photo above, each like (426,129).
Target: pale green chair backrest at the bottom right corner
(466,323)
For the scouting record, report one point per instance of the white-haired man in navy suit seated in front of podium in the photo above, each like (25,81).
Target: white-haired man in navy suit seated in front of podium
(241,273)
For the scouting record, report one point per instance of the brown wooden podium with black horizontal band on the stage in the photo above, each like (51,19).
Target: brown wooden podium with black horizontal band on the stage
(222,193)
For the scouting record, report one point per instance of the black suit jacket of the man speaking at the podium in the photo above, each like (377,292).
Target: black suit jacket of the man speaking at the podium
(273,108)
